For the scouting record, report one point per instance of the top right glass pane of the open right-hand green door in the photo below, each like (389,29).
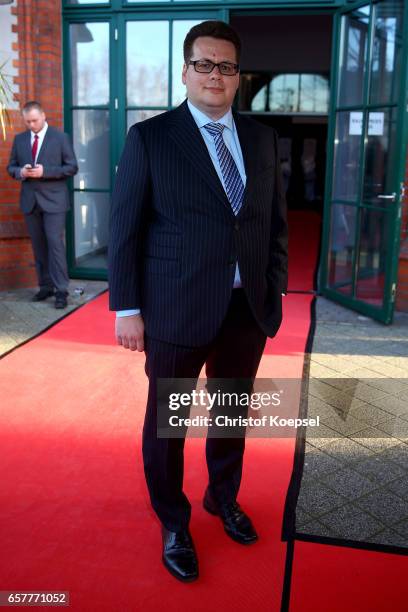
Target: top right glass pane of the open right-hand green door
(387,53)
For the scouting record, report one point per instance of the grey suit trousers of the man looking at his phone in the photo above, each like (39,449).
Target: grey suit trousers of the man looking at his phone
(47,237)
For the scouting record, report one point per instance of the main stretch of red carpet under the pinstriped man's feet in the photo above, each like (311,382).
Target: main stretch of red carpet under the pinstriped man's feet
(74,512)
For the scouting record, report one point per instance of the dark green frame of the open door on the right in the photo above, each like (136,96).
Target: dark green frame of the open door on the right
(384,314)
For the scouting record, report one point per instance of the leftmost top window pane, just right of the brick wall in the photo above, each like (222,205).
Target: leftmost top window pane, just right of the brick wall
(90,63)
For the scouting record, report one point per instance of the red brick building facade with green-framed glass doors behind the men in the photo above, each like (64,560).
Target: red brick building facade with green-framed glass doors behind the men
(330,76)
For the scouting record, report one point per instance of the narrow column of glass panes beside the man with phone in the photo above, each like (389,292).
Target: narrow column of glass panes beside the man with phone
(89,112)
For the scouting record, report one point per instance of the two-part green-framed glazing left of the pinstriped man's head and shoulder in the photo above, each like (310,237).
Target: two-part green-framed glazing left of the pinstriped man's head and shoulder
(123,68)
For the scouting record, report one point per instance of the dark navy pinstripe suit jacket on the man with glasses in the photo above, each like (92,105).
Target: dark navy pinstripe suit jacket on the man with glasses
(175,240)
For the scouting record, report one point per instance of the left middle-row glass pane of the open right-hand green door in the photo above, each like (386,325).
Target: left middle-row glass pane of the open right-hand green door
(347,156)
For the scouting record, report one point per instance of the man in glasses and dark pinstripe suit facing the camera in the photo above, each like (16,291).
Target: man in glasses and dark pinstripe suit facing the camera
(198,266)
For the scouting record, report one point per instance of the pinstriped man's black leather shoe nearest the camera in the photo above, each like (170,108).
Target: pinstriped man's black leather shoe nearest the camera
(179,555)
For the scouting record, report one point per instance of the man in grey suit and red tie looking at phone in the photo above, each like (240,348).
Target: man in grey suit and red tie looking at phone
(42,158)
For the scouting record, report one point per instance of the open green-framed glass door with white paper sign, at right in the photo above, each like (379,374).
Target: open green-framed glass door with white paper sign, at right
(366,159)
